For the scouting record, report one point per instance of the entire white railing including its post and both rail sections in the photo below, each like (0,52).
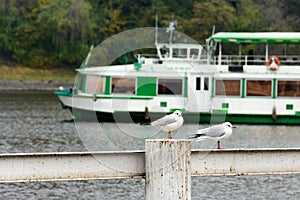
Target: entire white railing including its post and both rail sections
(164,161)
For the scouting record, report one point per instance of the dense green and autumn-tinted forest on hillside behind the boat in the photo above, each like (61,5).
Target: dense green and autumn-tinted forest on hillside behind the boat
(59,33)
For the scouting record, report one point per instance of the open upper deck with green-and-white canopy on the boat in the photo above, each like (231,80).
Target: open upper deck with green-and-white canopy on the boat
(264,43)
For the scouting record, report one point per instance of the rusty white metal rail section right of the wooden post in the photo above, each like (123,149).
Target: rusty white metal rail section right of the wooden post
(245,161)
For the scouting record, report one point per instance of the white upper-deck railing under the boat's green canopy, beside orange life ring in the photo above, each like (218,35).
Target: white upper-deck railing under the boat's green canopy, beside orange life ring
(254,59)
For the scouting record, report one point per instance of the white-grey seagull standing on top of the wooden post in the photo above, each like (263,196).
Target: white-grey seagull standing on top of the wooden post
(170,122)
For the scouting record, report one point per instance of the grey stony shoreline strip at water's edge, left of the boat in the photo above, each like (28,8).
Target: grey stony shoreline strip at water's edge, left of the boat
(33,85)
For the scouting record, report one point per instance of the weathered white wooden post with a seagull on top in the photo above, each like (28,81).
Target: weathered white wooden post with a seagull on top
(168,169)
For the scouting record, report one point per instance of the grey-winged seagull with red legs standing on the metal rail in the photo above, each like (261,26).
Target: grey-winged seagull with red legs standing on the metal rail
(215,132)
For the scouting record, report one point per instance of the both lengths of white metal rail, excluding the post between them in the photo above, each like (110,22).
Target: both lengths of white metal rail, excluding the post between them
(21,167)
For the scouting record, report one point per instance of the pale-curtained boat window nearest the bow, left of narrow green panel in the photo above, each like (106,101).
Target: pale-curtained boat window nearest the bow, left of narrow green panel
(94,84)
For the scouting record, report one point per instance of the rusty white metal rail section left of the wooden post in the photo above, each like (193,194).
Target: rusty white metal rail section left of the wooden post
(71,166)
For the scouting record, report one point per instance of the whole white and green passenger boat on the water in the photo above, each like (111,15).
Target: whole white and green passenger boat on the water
(207,83)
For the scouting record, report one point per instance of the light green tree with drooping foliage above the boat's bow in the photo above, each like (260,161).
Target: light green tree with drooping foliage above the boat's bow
(69,28)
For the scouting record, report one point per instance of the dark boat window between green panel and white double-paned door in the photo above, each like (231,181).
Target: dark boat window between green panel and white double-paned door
(170,86)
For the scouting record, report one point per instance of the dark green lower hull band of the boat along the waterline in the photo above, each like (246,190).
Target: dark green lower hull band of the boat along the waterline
(189,117)
